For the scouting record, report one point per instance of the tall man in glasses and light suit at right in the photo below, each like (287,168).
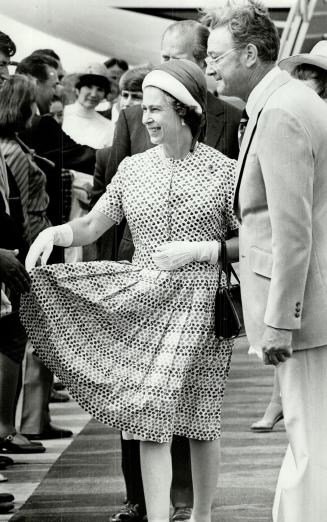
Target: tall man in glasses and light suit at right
(281,203)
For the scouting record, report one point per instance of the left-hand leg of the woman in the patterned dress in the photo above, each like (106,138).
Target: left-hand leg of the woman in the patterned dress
(156,476)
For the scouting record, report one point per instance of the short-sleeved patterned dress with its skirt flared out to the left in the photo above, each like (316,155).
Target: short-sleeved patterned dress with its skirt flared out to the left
(135,345)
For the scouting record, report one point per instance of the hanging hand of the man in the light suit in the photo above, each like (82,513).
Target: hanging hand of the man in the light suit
(276,345)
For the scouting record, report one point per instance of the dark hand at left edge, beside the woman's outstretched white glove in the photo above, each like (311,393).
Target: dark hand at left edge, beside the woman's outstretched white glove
(12,272)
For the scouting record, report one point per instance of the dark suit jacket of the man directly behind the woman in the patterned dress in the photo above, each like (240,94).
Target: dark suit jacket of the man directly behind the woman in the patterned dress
(131,137)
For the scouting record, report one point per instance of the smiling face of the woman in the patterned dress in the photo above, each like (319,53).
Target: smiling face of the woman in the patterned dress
(161,120)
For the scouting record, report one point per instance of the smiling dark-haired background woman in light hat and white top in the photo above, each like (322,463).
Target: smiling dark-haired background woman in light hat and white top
(81,121)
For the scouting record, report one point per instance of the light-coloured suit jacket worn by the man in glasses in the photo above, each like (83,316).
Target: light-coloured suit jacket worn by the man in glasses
(281,197)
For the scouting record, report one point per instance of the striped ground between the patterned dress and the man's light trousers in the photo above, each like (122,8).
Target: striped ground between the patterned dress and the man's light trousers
(250,461)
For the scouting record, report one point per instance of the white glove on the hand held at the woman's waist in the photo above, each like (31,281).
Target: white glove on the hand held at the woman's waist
(173,255)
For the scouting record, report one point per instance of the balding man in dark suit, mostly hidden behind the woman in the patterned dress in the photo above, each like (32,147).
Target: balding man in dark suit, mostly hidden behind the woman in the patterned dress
(185,39)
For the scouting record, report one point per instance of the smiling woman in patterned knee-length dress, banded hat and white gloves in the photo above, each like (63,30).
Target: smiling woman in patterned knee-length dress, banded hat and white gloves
(135,343)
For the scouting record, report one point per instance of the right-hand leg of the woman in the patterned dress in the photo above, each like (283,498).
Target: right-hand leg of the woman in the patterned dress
(205,460)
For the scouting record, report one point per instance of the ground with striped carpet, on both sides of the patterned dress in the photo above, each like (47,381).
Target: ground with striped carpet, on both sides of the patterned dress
(250,462)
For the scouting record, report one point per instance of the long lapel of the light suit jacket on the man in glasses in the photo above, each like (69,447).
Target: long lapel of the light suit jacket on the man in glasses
(276,83)
